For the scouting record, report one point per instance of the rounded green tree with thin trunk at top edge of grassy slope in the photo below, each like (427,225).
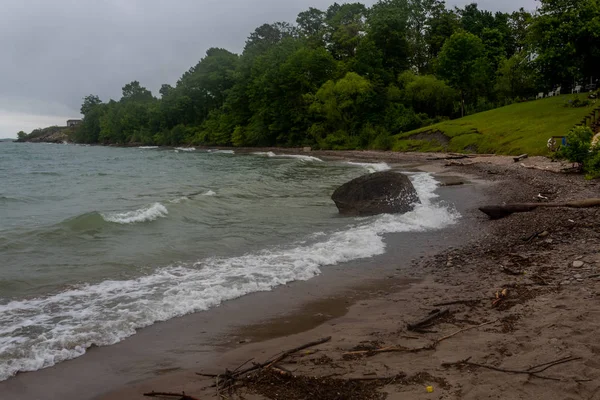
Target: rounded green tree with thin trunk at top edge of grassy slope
(462,64)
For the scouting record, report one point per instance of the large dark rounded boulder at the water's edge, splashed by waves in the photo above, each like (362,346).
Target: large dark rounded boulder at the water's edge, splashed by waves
(379,193)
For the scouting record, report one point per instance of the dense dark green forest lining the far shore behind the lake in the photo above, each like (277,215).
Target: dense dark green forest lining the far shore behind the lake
(352,76)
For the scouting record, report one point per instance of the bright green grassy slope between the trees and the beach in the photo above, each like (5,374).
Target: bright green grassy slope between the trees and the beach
(515,129)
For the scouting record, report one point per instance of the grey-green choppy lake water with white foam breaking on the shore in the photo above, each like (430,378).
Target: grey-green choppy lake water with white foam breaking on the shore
(97,242)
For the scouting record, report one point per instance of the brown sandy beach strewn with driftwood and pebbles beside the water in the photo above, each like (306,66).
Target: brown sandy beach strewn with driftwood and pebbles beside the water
(545,262)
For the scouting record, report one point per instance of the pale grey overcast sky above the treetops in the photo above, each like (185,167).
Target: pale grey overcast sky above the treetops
(53,53)
